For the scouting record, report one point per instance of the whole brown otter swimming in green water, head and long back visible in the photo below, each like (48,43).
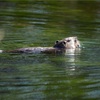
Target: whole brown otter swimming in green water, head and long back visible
(59,47)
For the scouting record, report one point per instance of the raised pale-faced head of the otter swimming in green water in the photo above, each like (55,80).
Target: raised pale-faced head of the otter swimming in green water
(68,43)
